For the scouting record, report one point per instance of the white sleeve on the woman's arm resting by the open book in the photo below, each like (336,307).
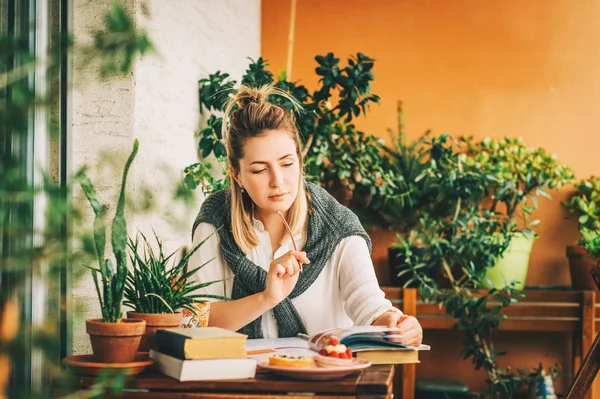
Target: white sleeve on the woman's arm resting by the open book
(364,301)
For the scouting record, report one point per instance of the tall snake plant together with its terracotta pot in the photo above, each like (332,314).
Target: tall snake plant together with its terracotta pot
(114,340)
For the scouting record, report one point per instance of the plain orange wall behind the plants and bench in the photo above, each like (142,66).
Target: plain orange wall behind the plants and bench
(469,67)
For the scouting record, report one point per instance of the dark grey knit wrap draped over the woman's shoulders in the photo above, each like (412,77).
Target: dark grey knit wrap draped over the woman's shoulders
(329,222)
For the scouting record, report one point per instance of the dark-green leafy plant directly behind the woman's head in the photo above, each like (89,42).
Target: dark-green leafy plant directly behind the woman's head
(352,165)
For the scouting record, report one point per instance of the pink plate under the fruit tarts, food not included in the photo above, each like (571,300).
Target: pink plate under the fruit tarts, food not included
(314,372)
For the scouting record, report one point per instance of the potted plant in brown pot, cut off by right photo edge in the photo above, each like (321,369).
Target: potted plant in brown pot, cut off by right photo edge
(585,205)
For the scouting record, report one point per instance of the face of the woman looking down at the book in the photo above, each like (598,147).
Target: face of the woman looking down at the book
(270,171)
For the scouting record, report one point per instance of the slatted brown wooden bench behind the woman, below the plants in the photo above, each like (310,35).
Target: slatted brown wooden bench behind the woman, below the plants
(576,312)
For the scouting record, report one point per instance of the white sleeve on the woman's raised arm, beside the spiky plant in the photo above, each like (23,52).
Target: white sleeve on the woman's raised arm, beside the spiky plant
(216,268)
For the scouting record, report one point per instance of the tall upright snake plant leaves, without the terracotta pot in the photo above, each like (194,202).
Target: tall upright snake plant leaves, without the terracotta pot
(112,273)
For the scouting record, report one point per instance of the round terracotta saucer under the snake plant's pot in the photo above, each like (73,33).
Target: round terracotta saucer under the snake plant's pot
(85,365)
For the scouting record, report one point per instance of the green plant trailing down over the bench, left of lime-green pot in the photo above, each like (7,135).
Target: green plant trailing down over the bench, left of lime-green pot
(461,246)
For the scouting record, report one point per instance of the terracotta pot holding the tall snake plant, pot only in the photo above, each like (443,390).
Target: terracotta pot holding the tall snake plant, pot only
(115,342)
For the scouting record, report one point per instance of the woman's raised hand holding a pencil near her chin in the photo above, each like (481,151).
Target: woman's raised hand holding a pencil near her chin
(282,276)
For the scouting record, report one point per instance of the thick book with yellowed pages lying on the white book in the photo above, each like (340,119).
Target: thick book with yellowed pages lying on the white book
(201,343)
